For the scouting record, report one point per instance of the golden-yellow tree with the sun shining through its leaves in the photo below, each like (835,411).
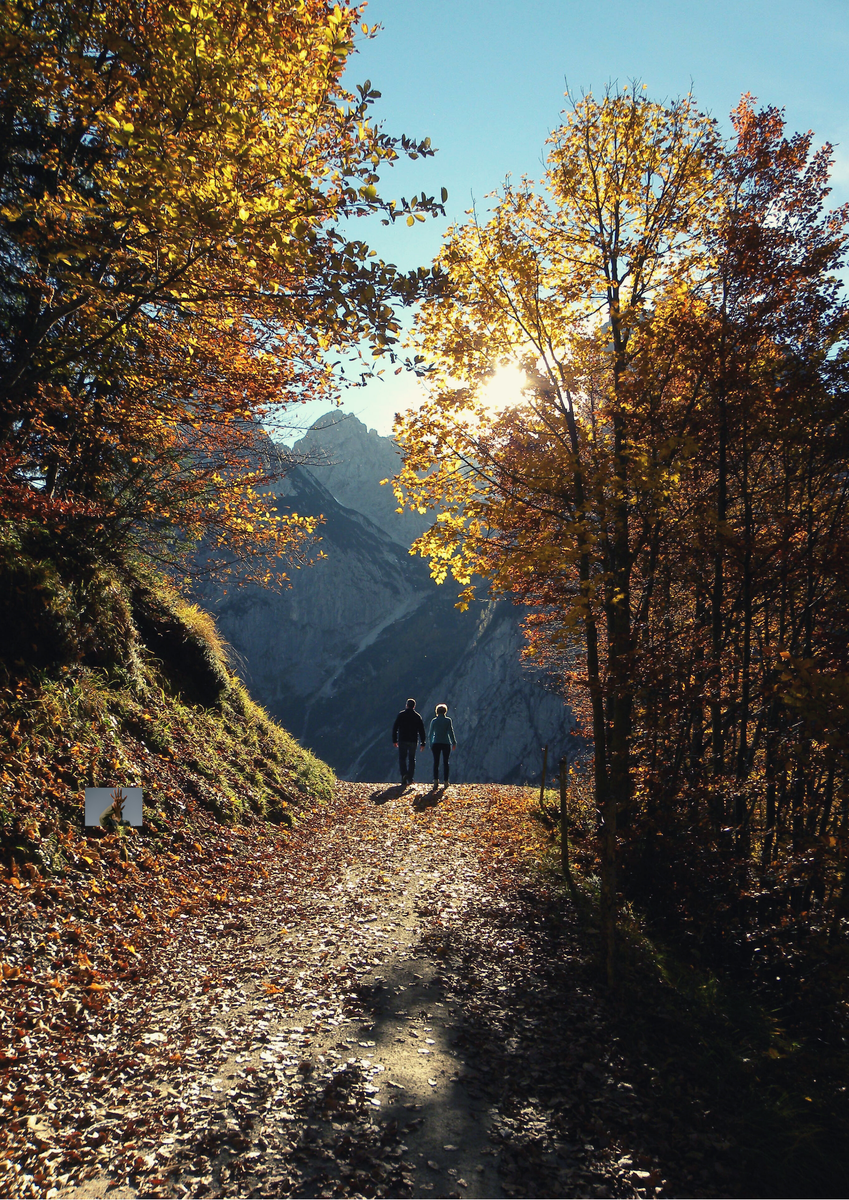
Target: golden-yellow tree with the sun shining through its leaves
(540,500)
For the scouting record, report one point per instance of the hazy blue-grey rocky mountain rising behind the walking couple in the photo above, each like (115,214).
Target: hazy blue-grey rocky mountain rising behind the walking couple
(336,657)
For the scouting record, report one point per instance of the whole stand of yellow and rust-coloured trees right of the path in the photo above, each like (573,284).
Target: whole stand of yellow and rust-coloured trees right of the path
(670,493)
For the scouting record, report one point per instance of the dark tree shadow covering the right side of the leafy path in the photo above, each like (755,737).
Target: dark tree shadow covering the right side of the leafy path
(531,1079)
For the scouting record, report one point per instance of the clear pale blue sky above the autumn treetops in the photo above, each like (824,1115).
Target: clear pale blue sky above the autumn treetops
(486,82)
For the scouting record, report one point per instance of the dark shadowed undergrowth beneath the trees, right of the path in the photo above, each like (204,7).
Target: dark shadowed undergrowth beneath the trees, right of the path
(760,999)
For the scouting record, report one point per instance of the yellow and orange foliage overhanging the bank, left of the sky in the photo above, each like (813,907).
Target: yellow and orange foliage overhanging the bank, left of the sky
(173,179)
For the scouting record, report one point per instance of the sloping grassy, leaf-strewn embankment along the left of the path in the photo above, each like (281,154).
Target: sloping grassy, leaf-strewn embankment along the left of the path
(112,683)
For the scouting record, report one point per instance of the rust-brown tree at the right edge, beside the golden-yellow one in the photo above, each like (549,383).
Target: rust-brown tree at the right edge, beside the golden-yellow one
(760,585)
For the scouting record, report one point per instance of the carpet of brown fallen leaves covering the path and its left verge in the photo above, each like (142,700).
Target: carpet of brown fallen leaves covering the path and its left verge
(387,1003)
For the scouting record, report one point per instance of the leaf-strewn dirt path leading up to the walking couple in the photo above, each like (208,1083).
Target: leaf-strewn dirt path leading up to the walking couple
(402,1011)
